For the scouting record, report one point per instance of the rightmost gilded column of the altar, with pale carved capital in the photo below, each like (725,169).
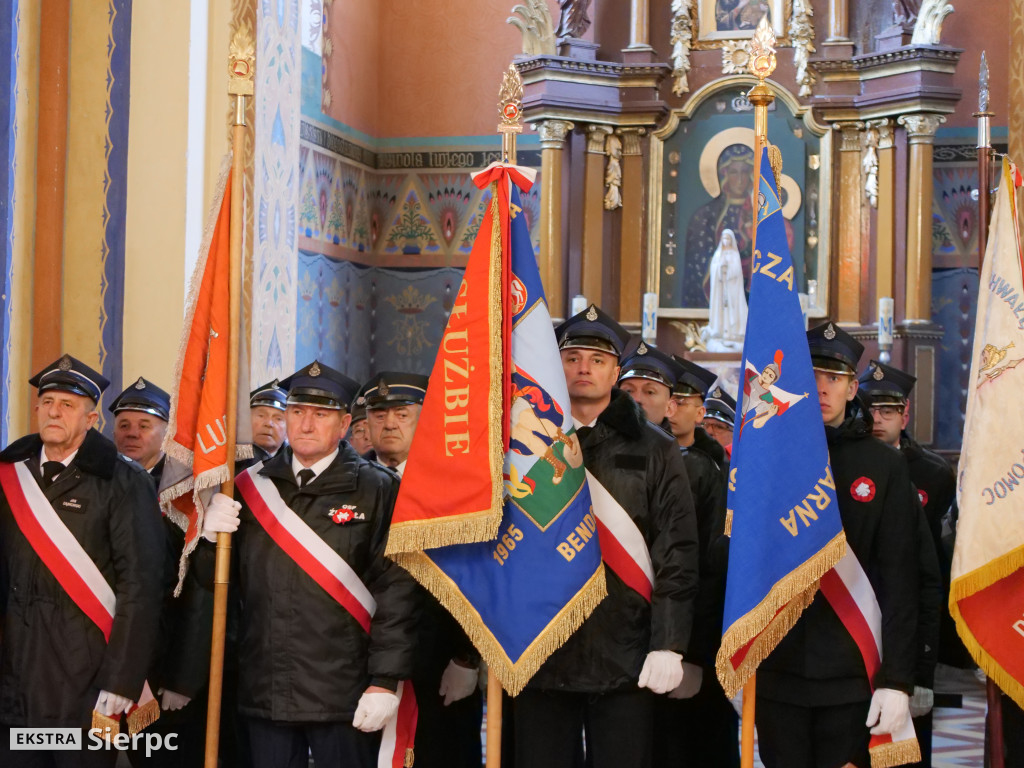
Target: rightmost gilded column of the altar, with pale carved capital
(921,137)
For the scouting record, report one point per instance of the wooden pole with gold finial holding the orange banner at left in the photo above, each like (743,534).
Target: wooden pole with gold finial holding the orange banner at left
(240,86)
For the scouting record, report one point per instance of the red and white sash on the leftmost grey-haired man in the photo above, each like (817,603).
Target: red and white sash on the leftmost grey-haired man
(71,566)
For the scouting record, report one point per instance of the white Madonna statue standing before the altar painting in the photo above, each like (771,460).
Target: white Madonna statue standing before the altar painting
(728,307)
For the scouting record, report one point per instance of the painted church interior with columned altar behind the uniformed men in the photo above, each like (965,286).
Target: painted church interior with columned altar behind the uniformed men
(369,117)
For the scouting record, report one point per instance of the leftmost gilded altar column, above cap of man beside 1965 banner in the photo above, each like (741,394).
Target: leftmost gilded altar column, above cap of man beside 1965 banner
(552,135)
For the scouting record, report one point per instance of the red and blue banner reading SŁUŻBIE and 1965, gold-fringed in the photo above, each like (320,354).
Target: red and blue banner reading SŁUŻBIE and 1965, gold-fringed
(523,594)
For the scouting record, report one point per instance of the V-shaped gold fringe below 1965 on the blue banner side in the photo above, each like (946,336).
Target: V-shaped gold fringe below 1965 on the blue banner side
(513,675)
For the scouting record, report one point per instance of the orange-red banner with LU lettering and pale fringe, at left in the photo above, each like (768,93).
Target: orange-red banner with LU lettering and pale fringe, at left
(197,433)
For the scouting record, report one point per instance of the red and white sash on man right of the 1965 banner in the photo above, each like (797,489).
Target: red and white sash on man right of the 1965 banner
(623,546)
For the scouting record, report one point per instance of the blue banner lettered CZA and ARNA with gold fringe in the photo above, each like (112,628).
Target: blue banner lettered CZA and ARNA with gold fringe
(786,528)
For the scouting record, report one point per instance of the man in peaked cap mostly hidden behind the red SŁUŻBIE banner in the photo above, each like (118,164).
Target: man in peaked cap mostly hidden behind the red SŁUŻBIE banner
(450,703)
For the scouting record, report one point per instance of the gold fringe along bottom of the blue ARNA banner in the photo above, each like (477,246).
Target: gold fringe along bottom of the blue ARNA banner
(775,617)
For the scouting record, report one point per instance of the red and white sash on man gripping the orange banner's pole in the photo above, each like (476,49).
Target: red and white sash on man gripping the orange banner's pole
(336,577)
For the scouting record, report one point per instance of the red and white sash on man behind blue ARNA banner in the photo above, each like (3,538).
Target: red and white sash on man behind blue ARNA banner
(852,598)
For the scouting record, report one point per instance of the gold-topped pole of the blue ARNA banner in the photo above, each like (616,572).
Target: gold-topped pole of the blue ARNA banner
(762,65)
